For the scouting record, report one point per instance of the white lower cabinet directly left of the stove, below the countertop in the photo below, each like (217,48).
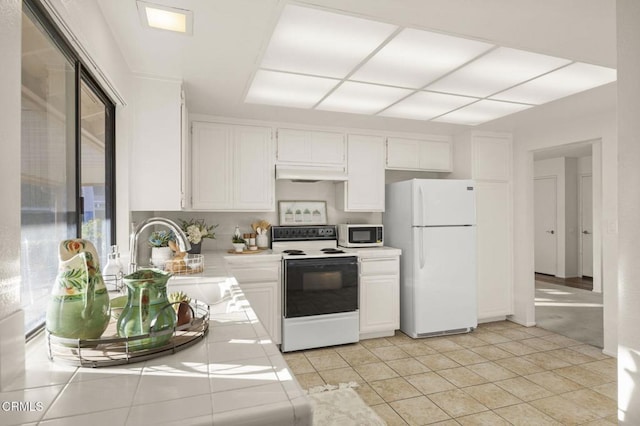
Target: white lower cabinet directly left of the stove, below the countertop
(260,283)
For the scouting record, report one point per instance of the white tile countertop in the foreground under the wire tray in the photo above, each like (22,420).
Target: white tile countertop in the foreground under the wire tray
(235,376)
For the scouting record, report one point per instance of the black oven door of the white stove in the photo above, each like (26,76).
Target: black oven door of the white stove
(320,286)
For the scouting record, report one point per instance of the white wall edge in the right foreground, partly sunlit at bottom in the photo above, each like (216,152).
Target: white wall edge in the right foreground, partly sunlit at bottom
(628,14)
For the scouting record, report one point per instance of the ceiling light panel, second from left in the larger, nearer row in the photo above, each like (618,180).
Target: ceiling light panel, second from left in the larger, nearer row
(415,57)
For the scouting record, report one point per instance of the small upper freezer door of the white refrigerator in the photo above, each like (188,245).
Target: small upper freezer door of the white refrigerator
(438,202)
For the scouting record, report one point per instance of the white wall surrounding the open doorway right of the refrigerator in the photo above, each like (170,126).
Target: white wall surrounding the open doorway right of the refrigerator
(601,129)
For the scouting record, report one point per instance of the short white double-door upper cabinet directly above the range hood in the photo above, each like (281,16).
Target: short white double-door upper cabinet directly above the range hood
(311,147)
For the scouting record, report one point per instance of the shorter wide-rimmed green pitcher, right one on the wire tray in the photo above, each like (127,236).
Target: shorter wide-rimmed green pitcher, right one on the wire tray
(148,309)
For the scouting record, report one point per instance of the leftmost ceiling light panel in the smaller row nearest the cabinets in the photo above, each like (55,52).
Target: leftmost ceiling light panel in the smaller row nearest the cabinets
(290,90)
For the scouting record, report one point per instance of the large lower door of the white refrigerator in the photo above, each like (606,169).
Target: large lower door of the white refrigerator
(445,279)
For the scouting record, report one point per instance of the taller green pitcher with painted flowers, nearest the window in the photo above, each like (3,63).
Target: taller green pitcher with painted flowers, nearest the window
(79,304)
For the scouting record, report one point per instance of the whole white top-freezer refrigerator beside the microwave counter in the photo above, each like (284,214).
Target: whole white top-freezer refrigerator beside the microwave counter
(433,222)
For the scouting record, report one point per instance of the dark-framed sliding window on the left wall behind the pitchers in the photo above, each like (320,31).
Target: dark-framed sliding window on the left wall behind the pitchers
(67,159)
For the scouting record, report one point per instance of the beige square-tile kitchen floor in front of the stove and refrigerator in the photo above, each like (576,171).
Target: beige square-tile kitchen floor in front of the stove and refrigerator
(500,374)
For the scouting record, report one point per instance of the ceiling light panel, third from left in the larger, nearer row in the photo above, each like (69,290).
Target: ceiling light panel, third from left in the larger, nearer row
(498,70)
